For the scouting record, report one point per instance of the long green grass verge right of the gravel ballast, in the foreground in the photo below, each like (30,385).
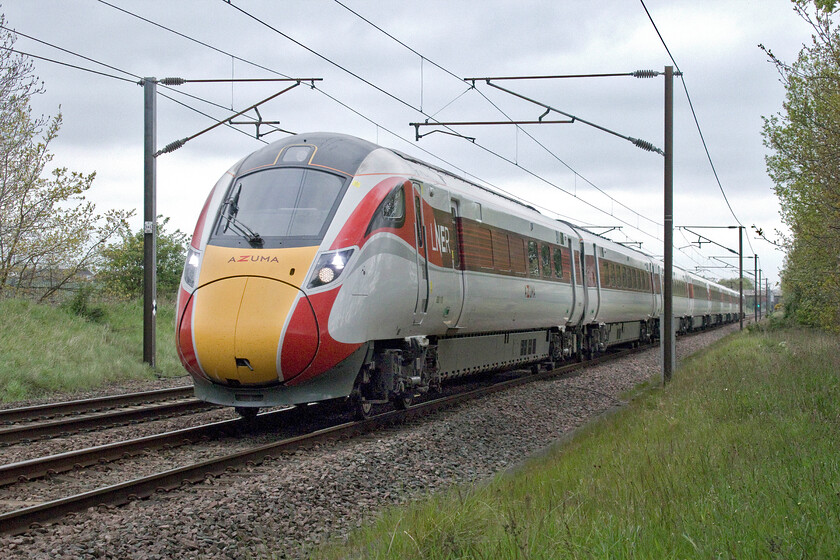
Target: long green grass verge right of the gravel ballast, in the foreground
(737,458)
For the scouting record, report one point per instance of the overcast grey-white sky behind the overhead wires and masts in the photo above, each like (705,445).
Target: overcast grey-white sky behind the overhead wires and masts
(565,169)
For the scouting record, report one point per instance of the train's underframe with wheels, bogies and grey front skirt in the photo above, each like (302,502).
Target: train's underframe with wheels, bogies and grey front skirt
(399,370)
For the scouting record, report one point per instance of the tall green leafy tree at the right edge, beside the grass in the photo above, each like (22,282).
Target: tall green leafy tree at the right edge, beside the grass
(805,166)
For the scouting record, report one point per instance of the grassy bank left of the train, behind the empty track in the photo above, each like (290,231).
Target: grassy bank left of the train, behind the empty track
(46,349)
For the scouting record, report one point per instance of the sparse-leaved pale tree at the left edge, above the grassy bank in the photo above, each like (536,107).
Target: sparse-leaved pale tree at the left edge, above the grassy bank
(48,231)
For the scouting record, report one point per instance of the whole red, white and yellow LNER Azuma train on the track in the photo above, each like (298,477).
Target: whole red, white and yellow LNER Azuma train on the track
(325,267)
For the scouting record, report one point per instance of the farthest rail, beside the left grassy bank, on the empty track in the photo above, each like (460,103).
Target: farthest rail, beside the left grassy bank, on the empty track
(47,410)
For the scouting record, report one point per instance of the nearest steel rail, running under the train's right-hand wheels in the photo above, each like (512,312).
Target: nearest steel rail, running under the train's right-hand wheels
(19,521)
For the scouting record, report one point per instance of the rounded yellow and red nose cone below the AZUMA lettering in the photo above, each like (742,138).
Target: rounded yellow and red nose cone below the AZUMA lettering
(239,327)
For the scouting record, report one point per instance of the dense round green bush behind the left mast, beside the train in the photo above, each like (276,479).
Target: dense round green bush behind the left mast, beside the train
(121,265)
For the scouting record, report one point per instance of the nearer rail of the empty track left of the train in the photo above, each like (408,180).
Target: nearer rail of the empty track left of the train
(37,430)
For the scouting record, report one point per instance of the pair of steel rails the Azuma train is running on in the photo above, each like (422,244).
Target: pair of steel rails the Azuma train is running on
(19,521)
